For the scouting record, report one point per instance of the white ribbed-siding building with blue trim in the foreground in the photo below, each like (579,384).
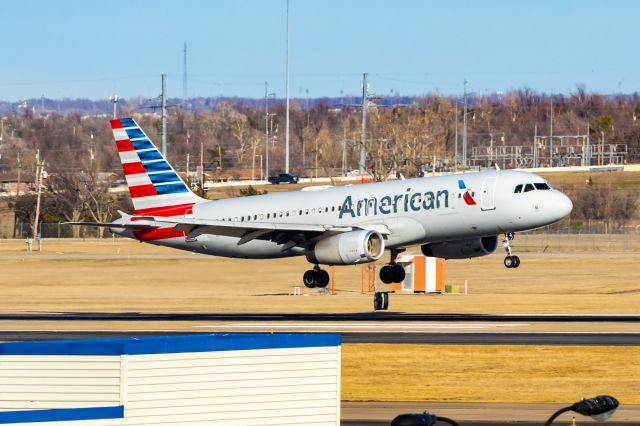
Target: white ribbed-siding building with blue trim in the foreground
(211,379)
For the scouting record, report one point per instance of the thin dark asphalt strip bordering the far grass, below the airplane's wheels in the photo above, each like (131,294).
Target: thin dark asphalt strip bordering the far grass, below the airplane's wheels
(319,317)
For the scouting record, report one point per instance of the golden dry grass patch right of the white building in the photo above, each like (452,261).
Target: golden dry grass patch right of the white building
(452,373)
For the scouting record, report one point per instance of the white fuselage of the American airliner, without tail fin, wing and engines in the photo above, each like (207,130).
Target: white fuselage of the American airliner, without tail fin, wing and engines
(412,211)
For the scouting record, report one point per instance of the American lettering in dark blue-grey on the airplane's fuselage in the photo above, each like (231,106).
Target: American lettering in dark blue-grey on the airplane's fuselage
(389,204)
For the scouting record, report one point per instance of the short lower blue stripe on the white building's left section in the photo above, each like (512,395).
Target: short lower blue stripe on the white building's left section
(62,414)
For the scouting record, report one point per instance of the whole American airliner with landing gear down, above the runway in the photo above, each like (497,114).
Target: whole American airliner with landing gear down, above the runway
(455,216)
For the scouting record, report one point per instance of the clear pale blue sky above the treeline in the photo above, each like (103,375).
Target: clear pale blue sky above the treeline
(69,48)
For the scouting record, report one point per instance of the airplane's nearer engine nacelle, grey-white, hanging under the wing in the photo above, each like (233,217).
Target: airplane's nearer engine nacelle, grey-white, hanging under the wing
(348,248)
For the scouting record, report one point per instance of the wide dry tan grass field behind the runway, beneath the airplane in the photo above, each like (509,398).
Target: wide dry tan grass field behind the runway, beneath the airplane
(581,282)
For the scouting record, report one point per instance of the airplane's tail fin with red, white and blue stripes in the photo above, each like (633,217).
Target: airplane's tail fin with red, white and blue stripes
(155,187)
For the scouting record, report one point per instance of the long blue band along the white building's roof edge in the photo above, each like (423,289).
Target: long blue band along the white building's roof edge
(171,344)
